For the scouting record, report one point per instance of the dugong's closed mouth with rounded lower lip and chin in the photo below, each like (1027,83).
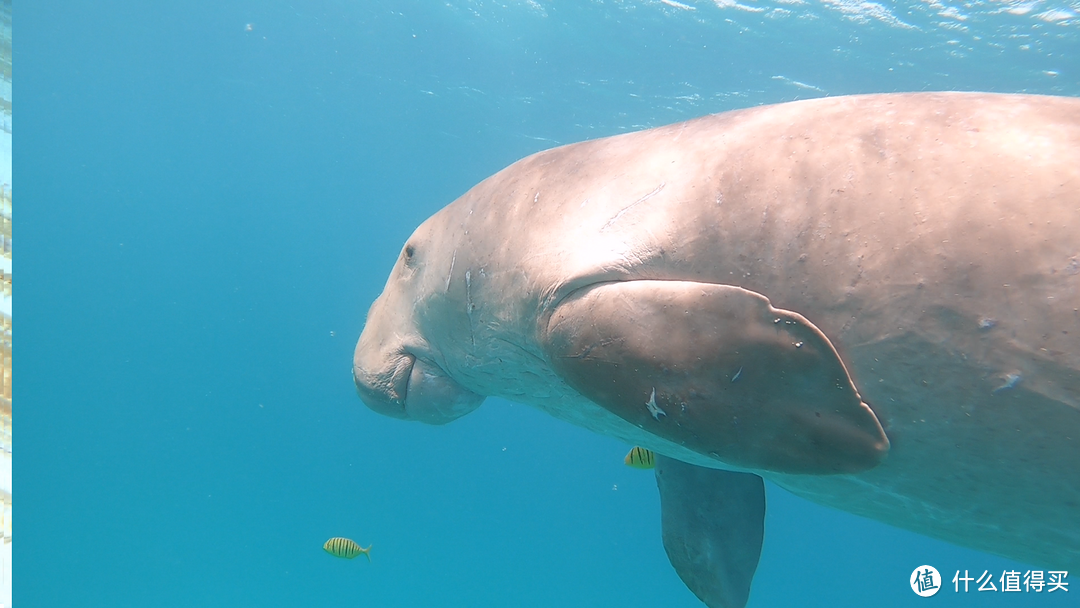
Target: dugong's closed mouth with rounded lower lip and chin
(413,389)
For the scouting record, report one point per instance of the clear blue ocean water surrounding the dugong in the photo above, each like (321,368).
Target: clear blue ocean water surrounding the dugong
(213,195)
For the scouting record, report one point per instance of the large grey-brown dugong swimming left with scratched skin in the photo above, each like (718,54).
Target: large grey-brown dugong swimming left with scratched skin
(873,302)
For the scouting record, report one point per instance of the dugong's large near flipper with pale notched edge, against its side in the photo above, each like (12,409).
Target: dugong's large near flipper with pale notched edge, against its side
(718,370)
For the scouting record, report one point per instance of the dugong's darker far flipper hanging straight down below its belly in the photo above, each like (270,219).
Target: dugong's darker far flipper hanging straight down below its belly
(713,524)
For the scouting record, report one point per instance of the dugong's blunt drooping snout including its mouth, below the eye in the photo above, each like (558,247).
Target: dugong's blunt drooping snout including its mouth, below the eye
(396,383)
